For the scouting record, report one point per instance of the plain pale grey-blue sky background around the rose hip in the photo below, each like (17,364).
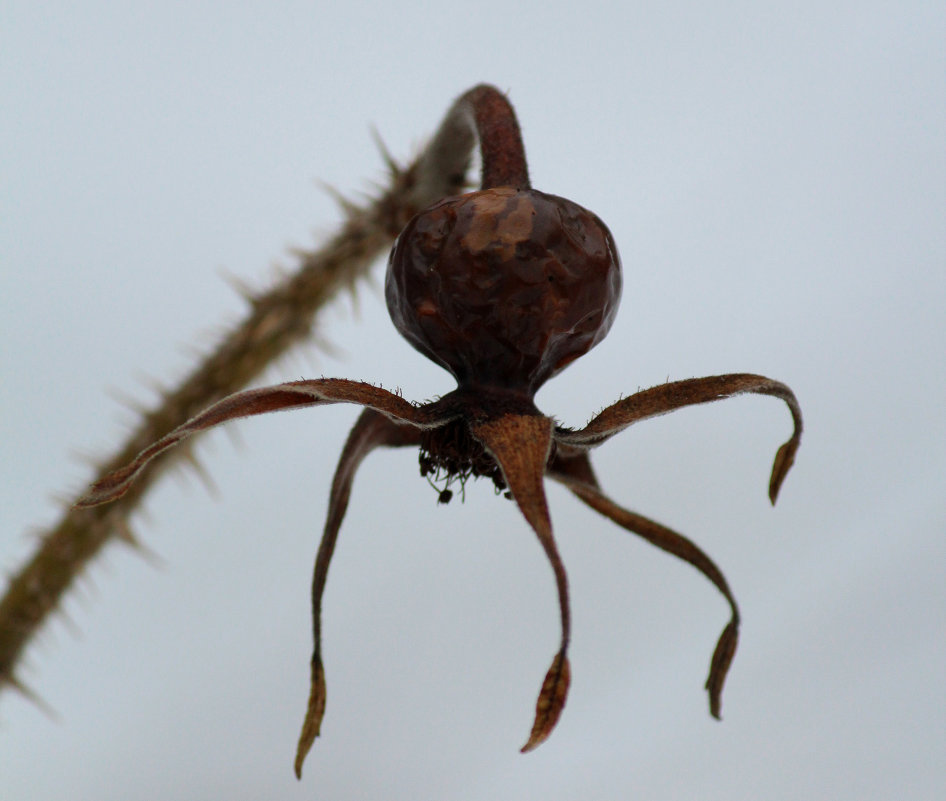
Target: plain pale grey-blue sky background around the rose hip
(774,176)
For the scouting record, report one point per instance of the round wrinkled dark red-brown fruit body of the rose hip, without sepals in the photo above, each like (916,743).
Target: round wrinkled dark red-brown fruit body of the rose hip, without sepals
(504,287)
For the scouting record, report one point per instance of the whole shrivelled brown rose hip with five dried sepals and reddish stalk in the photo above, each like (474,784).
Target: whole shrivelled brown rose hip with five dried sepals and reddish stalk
(503,287)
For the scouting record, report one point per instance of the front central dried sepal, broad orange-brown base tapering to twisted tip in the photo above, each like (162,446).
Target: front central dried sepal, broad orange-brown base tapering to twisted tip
(521,445)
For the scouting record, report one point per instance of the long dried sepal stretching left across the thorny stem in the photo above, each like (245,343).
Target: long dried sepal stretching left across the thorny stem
(276,398)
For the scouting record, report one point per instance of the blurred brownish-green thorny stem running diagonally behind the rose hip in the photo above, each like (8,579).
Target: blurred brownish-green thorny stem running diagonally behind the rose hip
(278,319)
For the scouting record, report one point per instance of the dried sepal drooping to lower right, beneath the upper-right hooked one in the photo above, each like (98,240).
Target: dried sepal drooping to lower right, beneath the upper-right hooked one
(574,470)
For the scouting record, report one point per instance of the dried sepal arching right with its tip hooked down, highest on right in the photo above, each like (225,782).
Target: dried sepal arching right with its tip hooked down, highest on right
(689,392)
